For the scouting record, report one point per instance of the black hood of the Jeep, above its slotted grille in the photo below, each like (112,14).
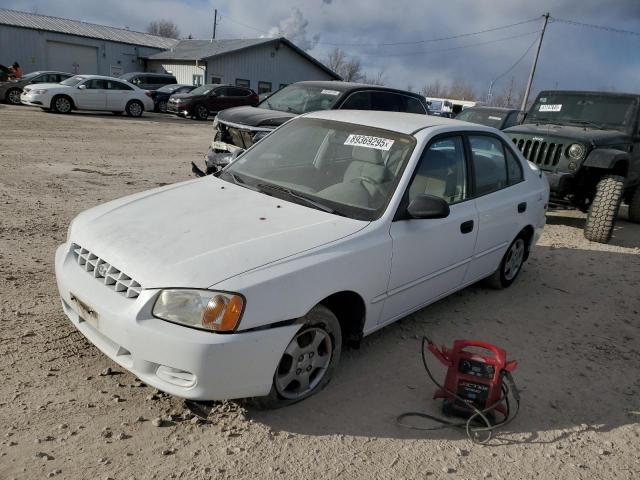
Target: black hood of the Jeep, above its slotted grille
(571,133)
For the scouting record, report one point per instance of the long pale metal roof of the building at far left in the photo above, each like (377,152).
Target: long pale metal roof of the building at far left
(15,18)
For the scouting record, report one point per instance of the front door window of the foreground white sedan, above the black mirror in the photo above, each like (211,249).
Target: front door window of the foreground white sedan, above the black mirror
(441,171)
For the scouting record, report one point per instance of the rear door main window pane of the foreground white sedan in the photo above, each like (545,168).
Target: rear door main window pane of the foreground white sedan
(489,165)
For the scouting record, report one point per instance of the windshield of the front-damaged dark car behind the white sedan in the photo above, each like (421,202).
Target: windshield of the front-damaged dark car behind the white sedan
(302,99)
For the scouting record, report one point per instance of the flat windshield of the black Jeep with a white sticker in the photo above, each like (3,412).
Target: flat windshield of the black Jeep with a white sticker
(600,111)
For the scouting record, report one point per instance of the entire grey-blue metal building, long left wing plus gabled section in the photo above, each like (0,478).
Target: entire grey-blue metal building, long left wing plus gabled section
(40,42)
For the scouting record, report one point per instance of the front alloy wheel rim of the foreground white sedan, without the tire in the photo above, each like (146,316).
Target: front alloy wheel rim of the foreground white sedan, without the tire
(304,363)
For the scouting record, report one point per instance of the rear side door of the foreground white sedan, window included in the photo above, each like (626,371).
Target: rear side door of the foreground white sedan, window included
(501,197)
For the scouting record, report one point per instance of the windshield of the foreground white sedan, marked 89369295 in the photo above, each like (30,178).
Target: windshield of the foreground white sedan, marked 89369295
(342,168)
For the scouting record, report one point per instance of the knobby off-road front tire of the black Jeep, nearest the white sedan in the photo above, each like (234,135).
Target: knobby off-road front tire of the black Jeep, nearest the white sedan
(603,210)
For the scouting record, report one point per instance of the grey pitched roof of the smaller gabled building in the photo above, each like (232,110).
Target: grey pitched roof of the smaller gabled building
(203,49)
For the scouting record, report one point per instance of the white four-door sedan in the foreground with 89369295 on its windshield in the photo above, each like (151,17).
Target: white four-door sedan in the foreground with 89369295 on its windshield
(335,225)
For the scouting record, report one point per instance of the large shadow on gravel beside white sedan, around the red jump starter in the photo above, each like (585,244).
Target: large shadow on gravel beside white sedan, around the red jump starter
(577,350)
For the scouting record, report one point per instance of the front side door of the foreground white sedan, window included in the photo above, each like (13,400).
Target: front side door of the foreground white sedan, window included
(431,256)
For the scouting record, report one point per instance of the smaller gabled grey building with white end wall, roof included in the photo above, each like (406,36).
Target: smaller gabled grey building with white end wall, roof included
(263,64)
